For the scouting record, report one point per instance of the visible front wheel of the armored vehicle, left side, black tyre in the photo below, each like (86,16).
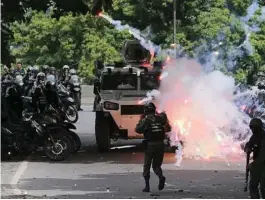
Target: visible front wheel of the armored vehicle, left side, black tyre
(102,131)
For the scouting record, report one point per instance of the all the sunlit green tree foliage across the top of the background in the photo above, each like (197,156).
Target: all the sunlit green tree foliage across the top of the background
(80,39)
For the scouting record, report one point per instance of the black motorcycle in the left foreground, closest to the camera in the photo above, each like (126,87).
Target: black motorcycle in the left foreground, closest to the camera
(38,131)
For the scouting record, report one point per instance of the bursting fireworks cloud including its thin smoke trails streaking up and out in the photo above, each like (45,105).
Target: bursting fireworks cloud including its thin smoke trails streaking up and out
(205,107)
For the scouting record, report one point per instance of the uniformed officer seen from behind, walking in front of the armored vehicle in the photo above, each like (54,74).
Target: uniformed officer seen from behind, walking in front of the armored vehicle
(152,125)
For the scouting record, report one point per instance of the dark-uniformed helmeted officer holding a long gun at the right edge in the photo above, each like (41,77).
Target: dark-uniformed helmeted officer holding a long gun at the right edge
(256,144)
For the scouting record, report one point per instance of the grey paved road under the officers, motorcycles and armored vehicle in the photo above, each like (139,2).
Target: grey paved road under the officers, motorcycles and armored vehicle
(117,174)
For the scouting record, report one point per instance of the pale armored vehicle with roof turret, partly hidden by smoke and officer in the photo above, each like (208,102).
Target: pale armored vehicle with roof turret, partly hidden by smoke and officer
(119,89)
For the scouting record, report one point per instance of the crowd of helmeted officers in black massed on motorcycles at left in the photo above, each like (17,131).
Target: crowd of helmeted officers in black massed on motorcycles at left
(42,89)
